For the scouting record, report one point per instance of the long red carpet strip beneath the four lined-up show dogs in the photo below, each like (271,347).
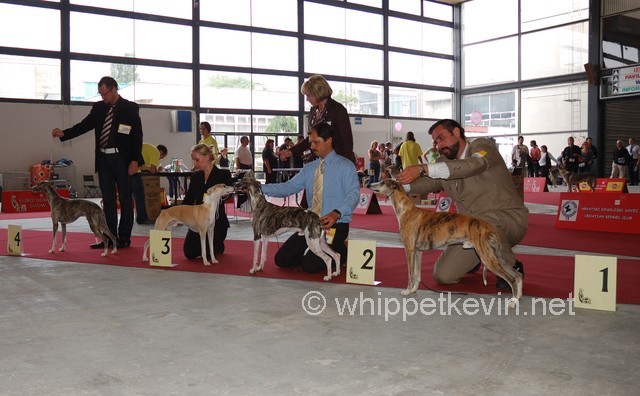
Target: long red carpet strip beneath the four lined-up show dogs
(546,276)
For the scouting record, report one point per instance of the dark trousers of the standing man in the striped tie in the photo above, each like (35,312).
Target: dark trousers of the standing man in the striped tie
(113,173)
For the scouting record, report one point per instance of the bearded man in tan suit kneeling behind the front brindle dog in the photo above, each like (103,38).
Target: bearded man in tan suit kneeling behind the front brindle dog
(475,176)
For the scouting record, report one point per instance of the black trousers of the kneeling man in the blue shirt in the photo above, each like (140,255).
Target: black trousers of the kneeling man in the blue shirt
(292,251)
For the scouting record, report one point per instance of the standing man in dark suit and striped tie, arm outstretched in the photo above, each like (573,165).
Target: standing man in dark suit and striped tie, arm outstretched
(118,129)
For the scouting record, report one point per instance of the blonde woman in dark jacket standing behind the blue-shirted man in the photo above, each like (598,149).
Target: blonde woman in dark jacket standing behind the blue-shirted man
(324,109)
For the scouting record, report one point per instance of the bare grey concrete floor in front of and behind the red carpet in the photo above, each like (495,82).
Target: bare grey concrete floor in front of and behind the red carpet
(78,329)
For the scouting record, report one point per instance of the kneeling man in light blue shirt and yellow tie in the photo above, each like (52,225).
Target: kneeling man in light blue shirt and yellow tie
(333,198)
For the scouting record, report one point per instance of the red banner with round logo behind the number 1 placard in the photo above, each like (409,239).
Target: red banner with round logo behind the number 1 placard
(600,212)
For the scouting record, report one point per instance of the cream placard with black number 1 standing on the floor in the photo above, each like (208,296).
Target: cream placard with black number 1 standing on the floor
(595,282)
